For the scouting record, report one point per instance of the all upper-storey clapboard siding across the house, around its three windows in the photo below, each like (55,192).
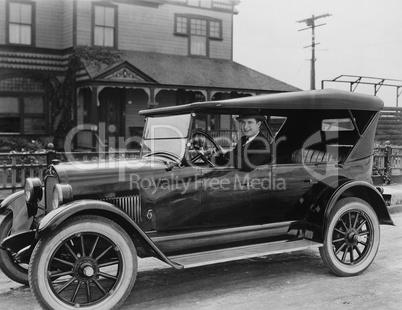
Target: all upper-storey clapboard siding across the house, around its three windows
(140,28)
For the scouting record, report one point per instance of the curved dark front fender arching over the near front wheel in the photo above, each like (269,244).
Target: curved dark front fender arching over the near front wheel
(58,216)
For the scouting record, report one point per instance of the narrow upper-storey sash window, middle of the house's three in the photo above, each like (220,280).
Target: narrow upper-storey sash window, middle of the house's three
(104,27)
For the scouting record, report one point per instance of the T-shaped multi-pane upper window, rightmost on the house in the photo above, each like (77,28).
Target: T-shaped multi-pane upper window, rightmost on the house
(199,31)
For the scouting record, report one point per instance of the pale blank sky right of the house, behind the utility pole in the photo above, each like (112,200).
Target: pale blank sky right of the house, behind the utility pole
(361,37)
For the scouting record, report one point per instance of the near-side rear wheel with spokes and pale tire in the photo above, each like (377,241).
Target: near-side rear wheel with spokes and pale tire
(352,237)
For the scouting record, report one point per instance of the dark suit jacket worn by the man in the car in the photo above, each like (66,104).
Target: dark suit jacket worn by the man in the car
(247,156)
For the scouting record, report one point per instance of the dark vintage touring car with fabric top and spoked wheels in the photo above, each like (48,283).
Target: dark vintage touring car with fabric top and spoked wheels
(76,237)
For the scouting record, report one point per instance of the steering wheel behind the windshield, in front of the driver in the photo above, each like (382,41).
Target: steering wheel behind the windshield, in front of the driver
(201,147)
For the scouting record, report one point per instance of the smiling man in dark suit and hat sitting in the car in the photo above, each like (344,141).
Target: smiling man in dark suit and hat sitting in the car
(253,148)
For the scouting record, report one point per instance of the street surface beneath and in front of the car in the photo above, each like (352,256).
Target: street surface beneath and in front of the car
(285,281)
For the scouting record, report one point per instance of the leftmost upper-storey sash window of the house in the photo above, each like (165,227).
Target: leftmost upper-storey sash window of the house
(20,22)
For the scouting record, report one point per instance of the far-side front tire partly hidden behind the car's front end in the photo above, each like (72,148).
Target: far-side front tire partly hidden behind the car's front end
(15,271)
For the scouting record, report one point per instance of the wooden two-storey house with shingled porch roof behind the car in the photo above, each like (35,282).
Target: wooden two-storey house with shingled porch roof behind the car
(133,55)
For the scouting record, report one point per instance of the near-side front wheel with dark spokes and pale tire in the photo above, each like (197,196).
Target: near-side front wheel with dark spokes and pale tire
(87,262)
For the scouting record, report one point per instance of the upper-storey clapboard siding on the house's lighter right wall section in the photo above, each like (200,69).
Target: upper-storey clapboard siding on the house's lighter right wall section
(151,29)
